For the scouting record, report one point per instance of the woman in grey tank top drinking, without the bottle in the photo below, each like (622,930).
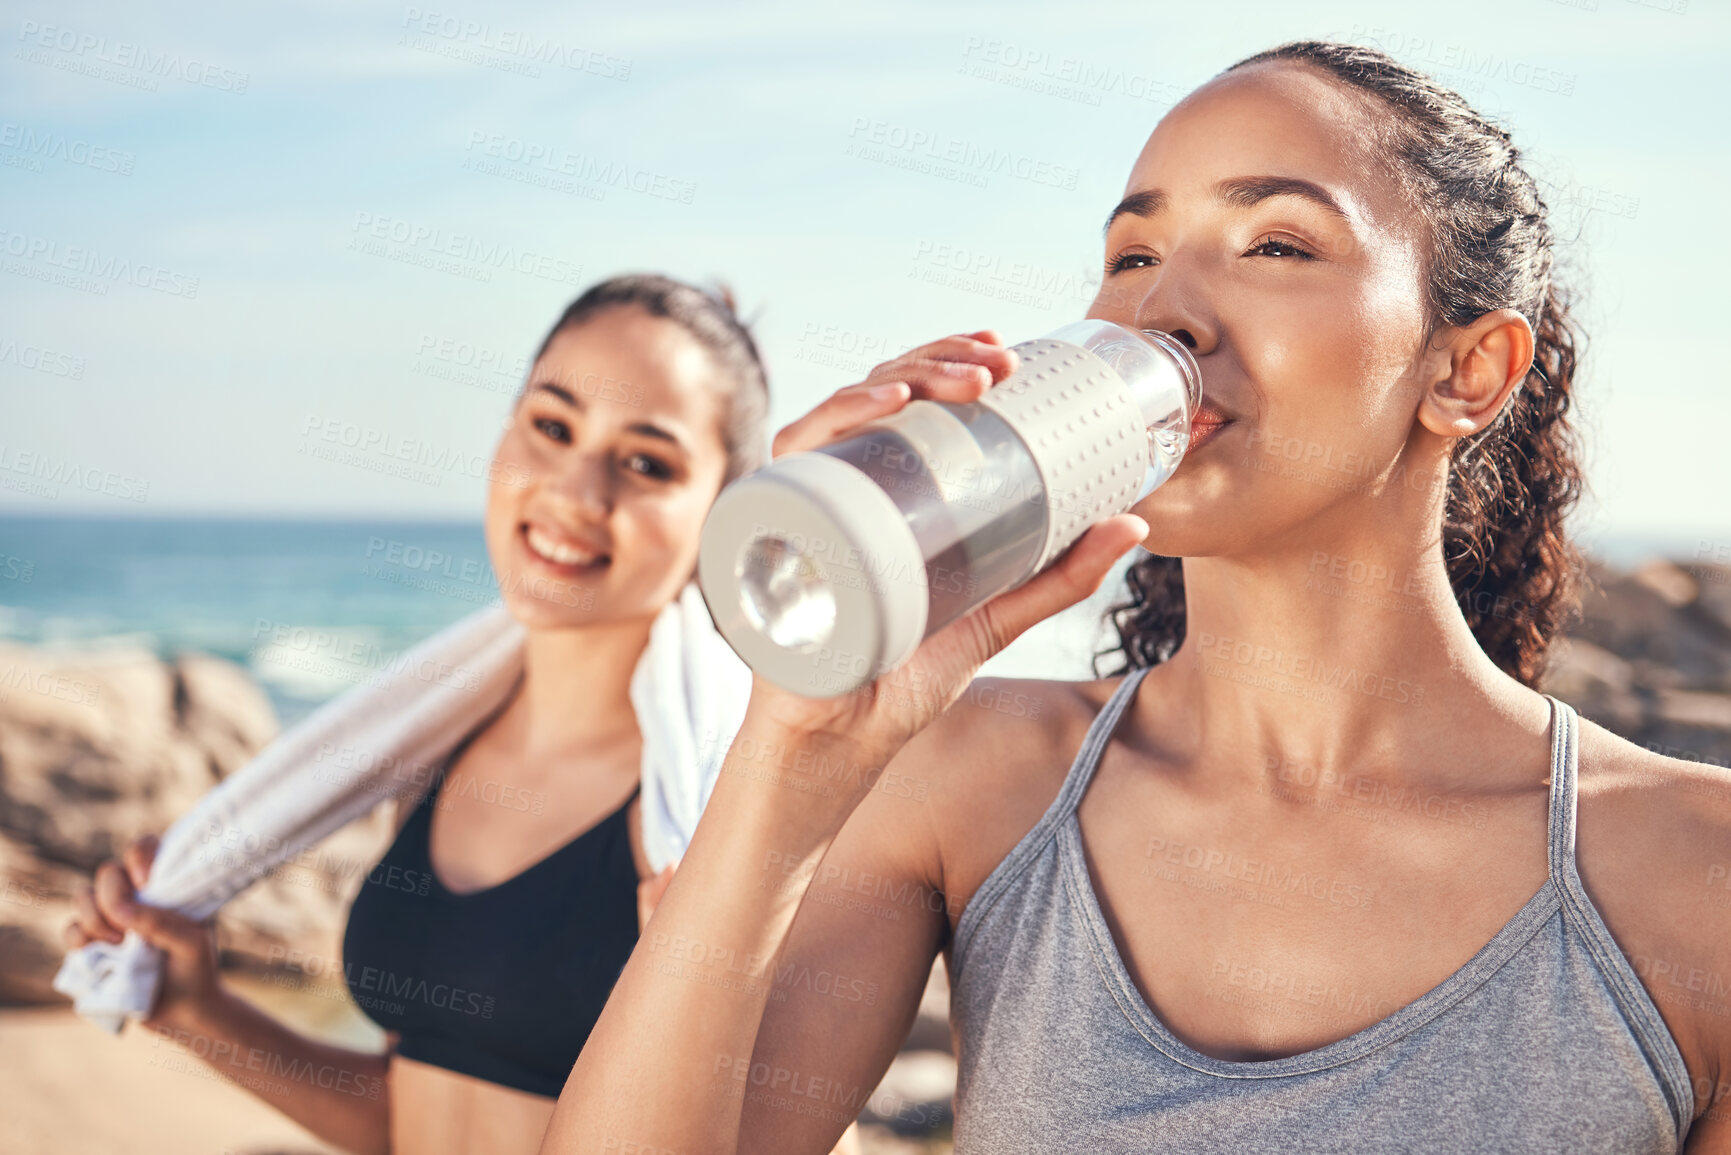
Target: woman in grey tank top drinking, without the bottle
(1161,936)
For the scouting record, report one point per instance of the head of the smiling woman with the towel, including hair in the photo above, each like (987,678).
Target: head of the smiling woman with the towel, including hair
(624,455)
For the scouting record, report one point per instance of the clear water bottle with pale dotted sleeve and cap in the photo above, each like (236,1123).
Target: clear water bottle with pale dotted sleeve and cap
(827,569)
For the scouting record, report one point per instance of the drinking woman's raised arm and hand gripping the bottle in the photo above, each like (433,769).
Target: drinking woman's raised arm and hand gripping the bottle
(692,1031)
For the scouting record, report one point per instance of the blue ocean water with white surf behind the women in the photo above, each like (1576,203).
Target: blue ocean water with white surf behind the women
(312,609)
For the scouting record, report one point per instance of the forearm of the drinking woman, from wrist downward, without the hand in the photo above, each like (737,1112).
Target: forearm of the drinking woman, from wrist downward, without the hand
(659,1068)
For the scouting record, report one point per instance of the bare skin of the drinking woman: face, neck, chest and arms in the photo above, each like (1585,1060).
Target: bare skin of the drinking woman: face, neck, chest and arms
(1311,325)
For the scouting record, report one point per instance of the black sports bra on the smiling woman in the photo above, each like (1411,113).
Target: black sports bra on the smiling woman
(501,984)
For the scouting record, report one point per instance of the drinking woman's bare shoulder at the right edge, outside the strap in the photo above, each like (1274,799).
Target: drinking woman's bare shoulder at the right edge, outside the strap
(1654,851)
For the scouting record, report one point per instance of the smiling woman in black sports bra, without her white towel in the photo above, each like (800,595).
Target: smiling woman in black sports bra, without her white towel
(487,939)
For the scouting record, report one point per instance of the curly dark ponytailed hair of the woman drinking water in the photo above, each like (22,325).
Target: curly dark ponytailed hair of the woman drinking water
(1512,486)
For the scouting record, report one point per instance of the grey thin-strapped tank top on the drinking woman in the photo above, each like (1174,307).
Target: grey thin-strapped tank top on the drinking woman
(1543,1042)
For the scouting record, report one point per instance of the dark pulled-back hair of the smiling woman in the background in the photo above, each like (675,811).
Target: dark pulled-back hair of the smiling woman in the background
(712,321)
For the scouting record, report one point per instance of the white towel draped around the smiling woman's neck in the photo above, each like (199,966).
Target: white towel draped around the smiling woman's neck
(382,740)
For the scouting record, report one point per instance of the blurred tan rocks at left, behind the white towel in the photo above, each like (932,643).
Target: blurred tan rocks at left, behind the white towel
(101,749)
